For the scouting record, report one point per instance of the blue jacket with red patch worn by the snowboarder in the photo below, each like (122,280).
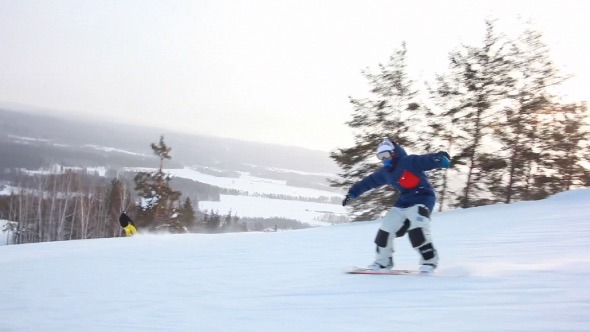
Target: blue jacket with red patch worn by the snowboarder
(406,174)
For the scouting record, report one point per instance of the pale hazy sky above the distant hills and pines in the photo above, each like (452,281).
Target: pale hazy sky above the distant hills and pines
(267,71)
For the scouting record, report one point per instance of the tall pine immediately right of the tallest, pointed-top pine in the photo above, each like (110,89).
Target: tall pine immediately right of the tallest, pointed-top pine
(532,74)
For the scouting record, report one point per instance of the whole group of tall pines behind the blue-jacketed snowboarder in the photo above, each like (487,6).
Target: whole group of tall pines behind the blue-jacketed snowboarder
(493,110)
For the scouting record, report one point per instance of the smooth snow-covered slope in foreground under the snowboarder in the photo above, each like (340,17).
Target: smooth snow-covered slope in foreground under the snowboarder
(519,267)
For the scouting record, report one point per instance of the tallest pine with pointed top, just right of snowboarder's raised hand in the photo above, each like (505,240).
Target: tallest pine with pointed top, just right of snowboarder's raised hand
(477,80)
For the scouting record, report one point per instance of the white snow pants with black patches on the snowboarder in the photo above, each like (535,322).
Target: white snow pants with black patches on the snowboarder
(415,221)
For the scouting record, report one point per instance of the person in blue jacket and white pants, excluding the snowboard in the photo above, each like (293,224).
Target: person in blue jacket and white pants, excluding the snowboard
(411,212)
